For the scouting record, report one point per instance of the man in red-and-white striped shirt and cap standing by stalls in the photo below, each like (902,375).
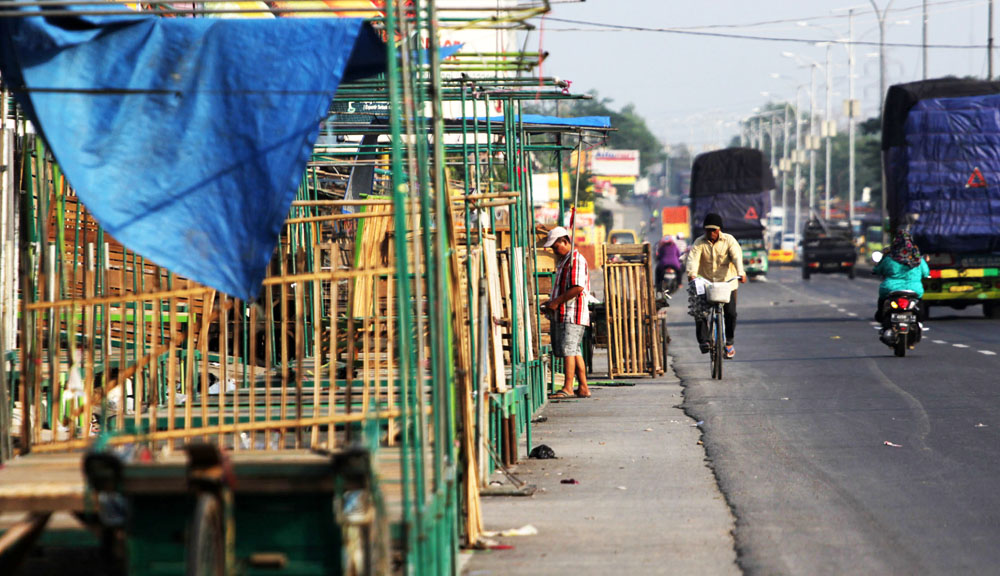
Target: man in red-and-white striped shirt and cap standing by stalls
(568,310)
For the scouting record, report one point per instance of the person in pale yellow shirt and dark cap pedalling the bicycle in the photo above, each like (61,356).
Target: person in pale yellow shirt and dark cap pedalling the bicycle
(717,257)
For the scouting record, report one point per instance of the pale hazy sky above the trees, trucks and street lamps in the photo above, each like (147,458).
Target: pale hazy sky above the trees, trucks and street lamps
(694,89)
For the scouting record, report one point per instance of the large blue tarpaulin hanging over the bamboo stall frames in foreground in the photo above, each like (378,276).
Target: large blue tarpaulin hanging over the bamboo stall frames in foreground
(185,138)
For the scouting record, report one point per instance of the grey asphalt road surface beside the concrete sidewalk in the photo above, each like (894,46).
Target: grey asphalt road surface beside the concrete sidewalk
(796,433)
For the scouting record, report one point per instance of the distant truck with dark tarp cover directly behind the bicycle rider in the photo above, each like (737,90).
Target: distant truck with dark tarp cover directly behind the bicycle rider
(735,183)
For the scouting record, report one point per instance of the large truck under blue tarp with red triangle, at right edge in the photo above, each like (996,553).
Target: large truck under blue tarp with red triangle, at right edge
(941,158)
